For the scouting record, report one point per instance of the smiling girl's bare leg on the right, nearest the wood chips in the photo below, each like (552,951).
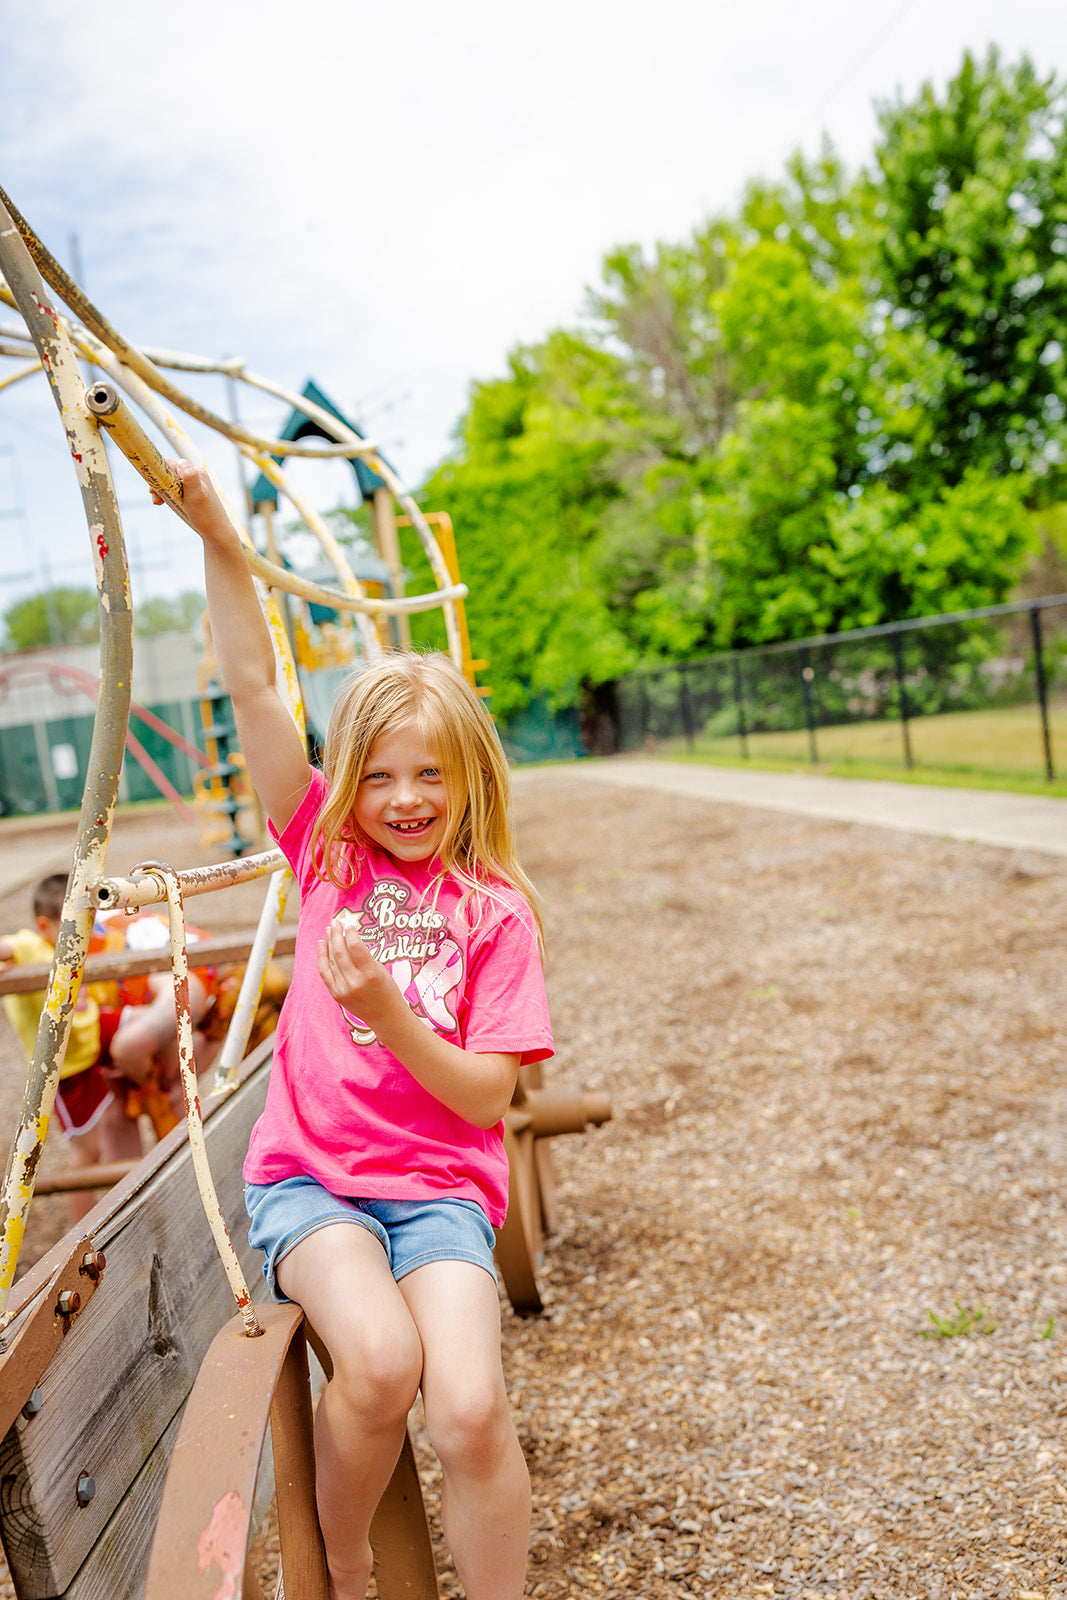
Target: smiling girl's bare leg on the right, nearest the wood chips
(486,1490)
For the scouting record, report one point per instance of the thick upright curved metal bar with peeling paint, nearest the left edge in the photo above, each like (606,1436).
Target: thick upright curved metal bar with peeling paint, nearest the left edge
(110,730)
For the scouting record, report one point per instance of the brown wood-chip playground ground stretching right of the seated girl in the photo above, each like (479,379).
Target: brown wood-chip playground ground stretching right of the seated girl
(839,1078)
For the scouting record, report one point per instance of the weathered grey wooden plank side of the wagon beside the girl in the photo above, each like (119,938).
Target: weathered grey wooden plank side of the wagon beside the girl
(126,1369)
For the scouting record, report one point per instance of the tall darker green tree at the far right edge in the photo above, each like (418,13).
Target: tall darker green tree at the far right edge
(972,198)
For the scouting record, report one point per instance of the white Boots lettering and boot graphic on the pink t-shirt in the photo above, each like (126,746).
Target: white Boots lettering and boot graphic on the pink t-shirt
(425,961)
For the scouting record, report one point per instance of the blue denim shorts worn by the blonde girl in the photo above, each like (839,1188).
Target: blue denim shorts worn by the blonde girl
(412,1233)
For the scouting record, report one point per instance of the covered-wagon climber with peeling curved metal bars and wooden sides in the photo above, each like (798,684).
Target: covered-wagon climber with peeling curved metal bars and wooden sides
(151,1479)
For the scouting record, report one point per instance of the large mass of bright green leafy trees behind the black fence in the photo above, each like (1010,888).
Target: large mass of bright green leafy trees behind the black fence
(823,412)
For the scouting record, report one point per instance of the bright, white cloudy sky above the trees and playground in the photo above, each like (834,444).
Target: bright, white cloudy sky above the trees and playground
(388,198)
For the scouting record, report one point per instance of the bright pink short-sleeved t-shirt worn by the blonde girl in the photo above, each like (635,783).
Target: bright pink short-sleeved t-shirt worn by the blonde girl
(342,1108)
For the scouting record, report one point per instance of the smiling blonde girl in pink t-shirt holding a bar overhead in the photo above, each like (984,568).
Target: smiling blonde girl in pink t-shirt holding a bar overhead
(377,1174)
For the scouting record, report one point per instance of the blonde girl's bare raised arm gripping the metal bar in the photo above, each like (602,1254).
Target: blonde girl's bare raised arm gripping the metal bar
(270,740)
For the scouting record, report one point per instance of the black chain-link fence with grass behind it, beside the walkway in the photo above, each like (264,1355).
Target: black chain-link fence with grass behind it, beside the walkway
(905,694)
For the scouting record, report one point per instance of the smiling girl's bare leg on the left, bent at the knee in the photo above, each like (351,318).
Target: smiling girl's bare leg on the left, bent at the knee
(342,1279)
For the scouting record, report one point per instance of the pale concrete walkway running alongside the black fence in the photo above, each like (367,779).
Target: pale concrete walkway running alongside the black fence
(978,815)
